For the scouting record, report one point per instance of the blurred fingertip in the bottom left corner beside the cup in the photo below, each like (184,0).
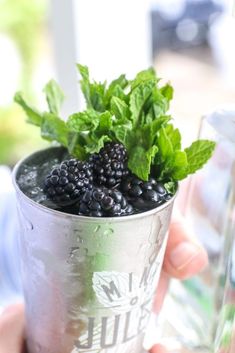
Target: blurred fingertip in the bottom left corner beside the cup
(12,329)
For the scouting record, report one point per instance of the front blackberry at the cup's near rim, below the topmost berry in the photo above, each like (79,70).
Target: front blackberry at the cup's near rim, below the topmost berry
(103,202)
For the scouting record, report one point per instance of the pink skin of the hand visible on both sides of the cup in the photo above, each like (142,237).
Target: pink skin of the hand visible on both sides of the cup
(184,258)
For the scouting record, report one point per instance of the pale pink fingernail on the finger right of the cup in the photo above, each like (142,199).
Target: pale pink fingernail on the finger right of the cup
(183,254)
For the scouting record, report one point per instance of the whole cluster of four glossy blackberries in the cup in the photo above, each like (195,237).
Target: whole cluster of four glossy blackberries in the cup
(103,186)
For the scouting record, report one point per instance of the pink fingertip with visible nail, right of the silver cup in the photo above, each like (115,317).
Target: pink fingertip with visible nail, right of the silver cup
(184,256)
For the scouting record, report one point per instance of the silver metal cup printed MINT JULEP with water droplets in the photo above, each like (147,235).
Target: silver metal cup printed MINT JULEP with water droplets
(88,282)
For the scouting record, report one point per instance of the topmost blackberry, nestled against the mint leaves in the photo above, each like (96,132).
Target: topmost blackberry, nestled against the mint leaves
(110,164)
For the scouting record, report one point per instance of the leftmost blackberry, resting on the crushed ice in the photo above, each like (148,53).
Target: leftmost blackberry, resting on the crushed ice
(66,183)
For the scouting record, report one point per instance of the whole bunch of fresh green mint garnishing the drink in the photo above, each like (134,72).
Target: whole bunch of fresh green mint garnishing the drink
(132,112)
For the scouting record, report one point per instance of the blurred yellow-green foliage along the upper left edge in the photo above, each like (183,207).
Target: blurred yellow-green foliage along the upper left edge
(24,21)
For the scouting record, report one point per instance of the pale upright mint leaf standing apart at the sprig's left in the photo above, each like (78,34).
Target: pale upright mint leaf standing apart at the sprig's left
(54,96)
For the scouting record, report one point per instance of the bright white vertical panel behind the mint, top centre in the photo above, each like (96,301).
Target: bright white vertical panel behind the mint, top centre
(113,37)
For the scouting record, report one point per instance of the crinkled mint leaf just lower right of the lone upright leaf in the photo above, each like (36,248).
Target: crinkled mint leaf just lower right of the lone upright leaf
(84,121)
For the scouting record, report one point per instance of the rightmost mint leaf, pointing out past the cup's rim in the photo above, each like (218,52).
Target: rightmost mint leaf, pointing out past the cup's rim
(198,154)
